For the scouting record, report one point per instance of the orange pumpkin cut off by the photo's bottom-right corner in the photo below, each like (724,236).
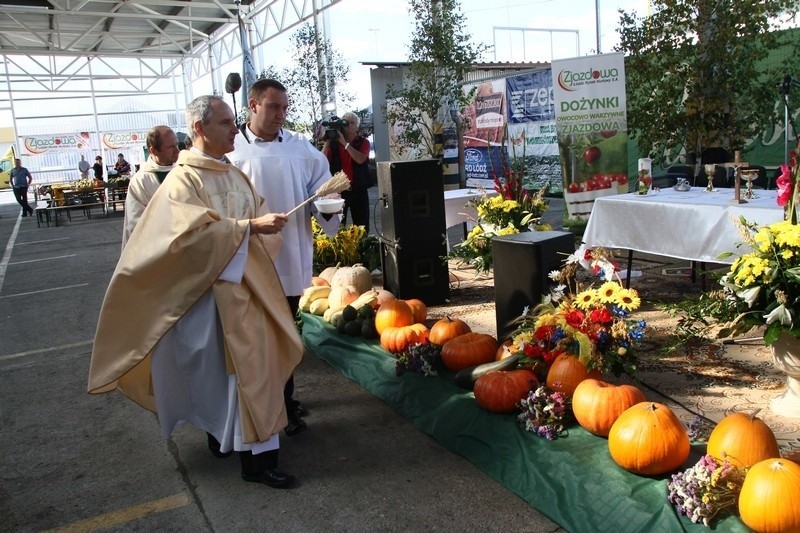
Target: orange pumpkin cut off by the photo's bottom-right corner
(770,496)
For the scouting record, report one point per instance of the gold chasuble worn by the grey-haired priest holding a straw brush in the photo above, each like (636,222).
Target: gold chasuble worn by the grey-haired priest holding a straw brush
(187,235)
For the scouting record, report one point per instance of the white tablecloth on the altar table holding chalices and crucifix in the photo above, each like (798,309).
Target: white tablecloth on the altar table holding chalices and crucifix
(693,225)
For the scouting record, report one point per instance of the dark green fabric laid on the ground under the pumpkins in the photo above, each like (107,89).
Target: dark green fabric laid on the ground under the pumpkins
(572,480)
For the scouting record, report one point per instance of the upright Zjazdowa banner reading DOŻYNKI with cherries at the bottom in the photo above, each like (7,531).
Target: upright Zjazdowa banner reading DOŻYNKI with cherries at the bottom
(591,124)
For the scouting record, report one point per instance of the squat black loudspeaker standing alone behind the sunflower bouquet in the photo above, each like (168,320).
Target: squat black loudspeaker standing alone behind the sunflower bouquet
(521,264)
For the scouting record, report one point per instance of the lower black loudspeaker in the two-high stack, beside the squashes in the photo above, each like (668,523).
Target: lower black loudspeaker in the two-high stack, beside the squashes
(416,270)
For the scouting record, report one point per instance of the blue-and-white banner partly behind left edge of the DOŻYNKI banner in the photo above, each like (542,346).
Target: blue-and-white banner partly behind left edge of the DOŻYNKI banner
(532,128)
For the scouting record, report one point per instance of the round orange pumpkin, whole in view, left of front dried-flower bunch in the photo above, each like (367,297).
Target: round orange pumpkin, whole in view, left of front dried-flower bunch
(648,439)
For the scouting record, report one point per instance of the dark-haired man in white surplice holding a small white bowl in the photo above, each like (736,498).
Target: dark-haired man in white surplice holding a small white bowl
(286,169)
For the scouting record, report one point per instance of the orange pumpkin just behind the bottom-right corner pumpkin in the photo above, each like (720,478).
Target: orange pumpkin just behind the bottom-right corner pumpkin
(743,440)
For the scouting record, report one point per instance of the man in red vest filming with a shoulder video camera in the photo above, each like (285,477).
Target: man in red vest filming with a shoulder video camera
(348,151)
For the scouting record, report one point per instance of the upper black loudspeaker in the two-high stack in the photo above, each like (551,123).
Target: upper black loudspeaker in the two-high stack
(413,193)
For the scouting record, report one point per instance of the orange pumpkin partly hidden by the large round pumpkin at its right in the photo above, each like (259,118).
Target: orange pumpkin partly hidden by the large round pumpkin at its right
(597,404)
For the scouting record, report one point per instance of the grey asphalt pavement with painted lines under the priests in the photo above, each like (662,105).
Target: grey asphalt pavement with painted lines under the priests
(77,462)
